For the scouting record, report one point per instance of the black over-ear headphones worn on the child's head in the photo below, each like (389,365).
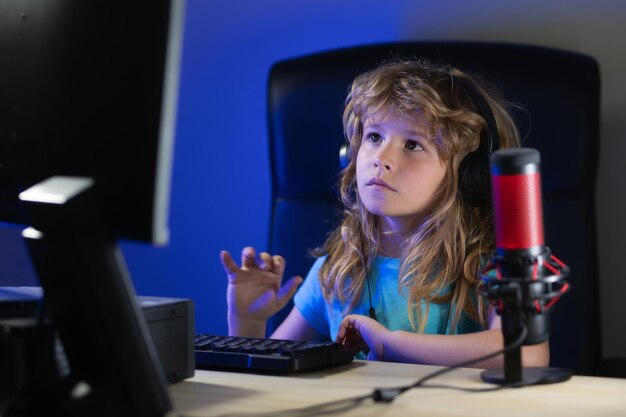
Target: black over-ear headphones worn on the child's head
(474,179)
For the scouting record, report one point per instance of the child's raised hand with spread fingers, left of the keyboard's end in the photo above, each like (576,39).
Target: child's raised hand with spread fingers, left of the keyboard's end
(254,291)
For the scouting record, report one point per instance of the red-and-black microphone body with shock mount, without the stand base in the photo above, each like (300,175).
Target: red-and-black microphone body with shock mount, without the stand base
(521,255)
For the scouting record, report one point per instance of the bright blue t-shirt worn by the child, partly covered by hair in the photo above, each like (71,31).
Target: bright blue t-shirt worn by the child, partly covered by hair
(389,303)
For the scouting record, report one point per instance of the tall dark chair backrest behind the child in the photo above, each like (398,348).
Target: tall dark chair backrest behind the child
(558,89)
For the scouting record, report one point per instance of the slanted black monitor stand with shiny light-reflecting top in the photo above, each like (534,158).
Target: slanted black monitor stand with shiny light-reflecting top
(112,366)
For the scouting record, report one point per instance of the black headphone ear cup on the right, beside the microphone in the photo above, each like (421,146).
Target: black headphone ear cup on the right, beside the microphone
(475,180)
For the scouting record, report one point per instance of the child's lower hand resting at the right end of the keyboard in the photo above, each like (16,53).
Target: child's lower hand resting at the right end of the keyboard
(361,333)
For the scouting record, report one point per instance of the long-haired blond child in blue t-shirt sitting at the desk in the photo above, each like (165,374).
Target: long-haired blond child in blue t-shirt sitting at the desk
(410,243)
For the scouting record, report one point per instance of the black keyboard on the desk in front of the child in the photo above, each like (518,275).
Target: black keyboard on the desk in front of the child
(267,355)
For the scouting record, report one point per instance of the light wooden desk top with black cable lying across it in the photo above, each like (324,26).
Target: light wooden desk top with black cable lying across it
(212,393)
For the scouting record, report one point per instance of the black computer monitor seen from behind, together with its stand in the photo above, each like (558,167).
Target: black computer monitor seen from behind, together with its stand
(88,99)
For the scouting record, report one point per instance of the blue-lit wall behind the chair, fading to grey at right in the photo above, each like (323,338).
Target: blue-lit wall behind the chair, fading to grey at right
(220,194)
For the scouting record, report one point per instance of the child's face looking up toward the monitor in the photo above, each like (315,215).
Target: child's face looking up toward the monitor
(398,168)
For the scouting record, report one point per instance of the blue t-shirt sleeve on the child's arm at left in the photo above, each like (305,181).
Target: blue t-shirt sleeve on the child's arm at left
(310,302)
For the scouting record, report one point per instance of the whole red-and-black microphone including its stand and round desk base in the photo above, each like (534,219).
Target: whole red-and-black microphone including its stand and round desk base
(523,279)
